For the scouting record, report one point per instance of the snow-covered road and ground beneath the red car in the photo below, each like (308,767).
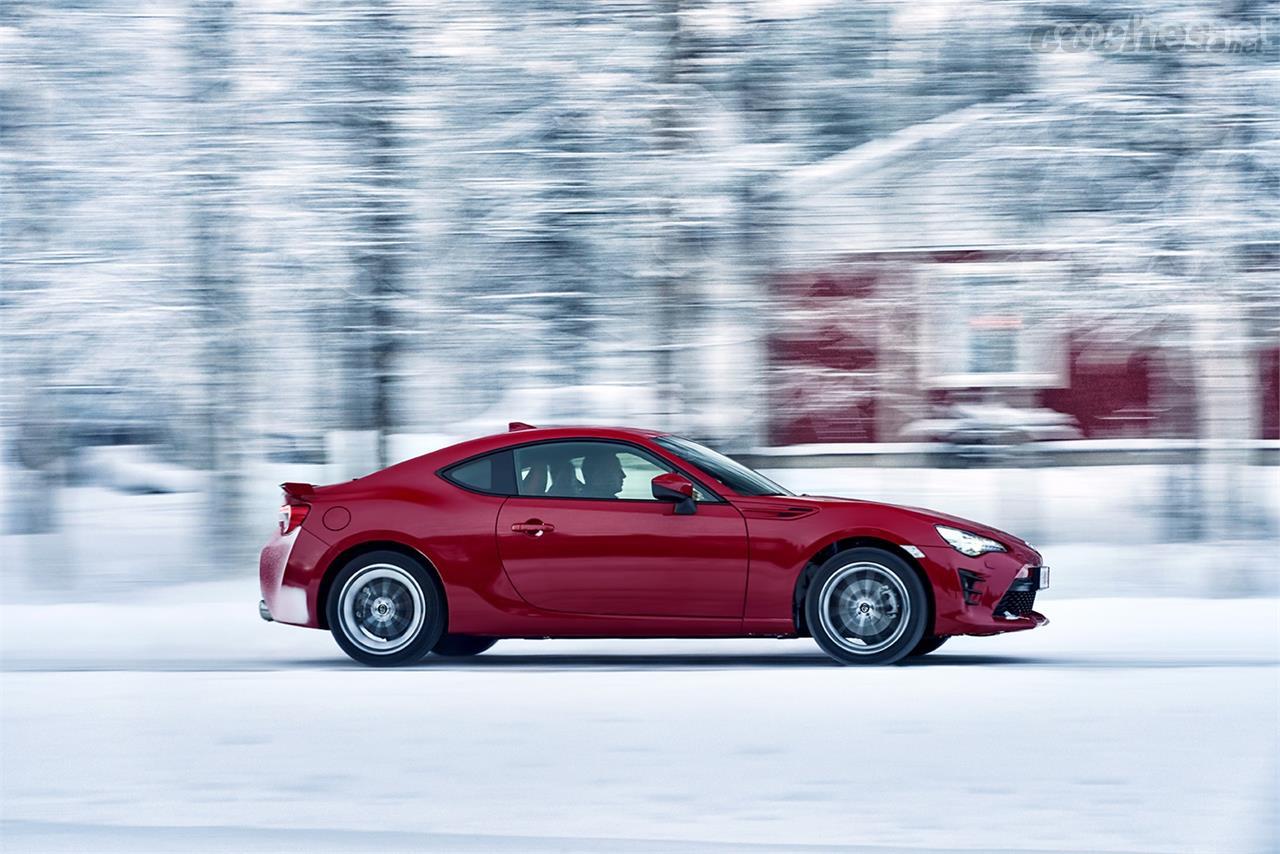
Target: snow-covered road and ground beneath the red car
(1124,727)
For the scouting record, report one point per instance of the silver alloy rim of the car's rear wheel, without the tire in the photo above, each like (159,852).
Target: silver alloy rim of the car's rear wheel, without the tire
(382,609)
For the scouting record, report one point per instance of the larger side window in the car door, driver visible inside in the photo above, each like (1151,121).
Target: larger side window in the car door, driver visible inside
(587,471)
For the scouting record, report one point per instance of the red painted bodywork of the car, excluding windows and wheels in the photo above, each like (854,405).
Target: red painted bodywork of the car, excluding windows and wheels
(582,568)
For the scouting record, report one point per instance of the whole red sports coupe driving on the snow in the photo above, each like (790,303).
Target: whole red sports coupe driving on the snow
(619,533)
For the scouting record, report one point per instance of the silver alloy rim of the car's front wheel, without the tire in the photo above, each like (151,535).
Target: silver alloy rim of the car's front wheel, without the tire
(865,608)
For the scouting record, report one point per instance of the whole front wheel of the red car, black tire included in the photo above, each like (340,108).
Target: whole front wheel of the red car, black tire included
(867,606)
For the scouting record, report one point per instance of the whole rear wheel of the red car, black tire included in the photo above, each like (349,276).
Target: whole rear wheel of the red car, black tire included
(388,593)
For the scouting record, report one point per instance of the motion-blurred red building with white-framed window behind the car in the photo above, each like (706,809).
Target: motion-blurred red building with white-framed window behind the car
(903,346)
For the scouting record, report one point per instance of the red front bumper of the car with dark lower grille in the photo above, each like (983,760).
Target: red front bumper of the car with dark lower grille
(985,596)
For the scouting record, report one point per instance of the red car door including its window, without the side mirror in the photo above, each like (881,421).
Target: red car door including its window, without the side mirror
(570,544)
